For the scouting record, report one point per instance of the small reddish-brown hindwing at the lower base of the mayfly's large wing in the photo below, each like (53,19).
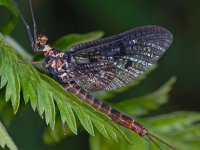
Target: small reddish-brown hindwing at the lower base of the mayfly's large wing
(95,76)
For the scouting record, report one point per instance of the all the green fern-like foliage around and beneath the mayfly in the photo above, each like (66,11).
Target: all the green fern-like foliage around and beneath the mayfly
(45,95)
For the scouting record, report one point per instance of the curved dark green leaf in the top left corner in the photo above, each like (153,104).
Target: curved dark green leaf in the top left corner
(13,19)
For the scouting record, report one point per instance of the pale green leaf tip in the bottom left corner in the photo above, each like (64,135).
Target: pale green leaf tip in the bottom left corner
(5,139)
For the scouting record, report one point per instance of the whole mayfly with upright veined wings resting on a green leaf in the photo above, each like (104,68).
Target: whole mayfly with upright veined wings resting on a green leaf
(106,64)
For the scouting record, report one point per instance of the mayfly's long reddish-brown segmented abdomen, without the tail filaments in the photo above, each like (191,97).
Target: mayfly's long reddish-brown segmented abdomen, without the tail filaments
(115,115)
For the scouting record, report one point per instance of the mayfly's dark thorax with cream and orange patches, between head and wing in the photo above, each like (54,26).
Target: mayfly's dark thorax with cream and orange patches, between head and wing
(58,66)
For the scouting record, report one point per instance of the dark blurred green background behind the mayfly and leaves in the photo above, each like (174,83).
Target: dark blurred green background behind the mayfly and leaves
(60,17)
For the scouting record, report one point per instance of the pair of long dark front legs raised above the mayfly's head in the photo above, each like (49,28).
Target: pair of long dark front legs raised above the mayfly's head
(32,34)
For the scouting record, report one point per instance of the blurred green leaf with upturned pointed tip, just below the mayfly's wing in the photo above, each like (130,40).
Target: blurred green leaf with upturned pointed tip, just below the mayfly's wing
(142,105)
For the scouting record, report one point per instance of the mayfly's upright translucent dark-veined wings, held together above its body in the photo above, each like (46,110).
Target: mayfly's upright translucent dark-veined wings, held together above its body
(113,62)
